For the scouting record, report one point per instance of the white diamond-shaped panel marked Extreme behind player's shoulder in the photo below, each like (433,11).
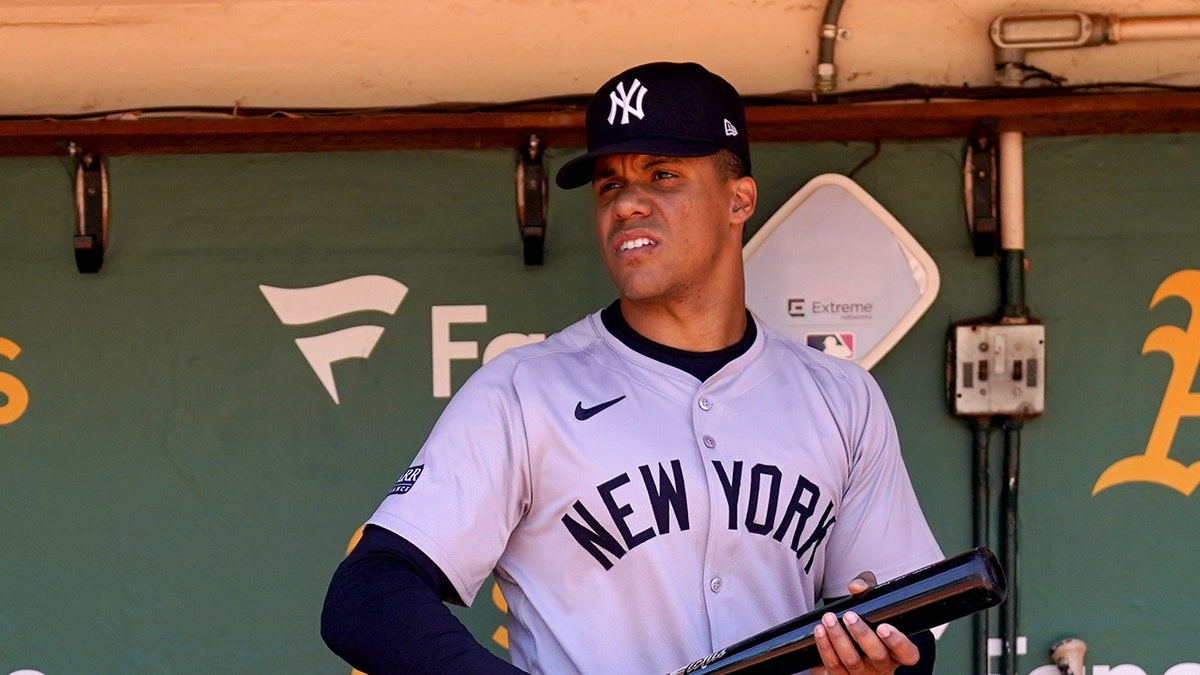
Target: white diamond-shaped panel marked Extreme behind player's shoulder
(835,270)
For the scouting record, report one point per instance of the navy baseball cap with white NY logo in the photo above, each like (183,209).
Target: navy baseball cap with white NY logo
(662,109)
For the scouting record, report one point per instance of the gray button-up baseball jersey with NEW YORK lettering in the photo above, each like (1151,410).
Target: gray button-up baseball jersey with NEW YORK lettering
(638,519)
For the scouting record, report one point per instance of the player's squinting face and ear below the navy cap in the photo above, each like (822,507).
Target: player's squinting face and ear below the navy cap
(668,226)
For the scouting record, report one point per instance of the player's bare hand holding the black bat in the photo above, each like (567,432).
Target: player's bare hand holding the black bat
(850,647)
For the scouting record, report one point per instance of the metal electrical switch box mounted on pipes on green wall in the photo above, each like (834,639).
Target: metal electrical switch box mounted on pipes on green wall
(997,369)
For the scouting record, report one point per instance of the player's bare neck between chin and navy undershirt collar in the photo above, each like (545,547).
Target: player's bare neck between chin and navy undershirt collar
(689,327)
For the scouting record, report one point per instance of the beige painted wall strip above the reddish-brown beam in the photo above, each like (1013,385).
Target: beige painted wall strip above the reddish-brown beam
(81,57)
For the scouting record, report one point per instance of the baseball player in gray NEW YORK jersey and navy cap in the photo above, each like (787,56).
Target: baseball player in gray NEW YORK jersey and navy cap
(664,477)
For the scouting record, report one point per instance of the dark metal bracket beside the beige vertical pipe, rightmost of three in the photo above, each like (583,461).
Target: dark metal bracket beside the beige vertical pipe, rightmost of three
(981,188)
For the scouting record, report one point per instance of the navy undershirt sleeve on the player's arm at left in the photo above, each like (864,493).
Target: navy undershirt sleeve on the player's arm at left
(386,614)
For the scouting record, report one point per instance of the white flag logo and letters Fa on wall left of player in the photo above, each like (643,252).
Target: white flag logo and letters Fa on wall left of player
(382,296)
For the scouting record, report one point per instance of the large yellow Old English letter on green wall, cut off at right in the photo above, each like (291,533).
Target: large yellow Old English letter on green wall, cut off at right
(1179,401)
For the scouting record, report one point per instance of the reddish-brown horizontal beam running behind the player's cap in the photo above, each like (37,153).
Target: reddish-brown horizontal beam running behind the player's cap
(1041,116)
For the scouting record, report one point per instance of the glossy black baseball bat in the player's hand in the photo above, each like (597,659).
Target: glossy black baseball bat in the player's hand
(947,590)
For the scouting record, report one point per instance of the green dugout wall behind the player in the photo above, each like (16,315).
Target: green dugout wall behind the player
(177,485)
